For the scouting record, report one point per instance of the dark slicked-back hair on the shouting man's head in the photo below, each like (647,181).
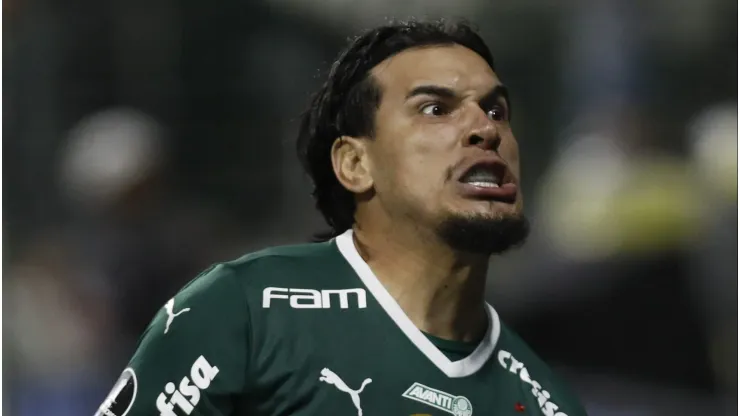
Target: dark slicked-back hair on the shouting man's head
(347,102)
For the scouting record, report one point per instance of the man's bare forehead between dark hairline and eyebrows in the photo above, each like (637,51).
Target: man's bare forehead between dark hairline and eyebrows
(452,66)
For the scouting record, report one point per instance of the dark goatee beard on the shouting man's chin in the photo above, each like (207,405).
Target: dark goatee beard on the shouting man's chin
(484,235)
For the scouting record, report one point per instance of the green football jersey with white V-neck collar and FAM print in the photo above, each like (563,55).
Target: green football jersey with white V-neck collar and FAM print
(309,330)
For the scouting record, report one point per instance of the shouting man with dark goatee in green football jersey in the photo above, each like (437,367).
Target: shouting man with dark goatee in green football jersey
(416,170)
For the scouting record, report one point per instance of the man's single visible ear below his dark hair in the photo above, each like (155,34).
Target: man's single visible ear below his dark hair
(351,164)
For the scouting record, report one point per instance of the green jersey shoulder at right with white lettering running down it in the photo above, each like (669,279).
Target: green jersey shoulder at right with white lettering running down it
(552,392)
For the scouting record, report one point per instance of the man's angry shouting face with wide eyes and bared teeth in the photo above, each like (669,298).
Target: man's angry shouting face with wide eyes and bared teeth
(444,154)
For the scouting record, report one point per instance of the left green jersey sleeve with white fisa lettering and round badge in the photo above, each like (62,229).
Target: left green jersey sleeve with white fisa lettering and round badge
(192,358)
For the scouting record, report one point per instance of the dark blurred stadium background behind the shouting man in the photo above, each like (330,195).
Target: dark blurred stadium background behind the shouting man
(147,139)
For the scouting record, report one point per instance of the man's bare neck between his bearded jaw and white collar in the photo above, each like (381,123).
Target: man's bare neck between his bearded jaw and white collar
(439,289)
